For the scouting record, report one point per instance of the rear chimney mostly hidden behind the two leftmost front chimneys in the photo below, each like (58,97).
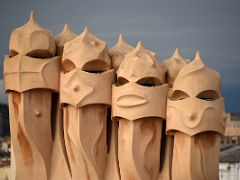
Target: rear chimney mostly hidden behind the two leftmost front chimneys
(59,161)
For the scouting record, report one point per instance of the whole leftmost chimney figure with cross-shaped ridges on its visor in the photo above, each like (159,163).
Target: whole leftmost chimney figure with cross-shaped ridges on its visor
(31,74)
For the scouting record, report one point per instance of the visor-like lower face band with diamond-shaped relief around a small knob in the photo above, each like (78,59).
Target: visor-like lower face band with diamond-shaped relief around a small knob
(80,88)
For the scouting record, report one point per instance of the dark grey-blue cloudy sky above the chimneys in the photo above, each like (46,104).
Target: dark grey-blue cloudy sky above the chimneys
(212,27)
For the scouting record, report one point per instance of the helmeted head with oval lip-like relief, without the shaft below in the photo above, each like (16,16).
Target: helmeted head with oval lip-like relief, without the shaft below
(139,87)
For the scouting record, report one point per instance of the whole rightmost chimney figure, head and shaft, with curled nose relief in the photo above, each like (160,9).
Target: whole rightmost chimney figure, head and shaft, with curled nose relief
(195,116)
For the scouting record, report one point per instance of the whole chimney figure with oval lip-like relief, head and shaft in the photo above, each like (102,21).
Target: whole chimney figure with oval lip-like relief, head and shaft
(138,103)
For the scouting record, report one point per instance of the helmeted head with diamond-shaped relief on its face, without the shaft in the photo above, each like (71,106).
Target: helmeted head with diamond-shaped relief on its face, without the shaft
(86,77)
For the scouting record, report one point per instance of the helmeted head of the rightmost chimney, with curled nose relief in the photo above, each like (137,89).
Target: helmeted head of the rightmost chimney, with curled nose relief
(196,104)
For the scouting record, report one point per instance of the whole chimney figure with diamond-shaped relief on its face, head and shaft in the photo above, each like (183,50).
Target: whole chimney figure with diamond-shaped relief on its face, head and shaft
(85,95)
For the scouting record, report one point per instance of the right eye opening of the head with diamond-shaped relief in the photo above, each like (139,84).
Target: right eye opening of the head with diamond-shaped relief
(95,66)
